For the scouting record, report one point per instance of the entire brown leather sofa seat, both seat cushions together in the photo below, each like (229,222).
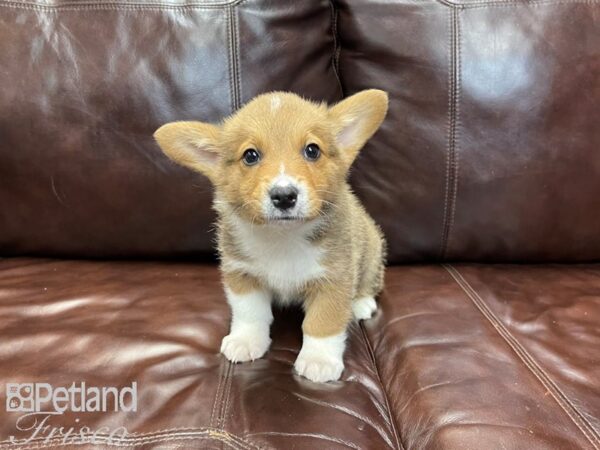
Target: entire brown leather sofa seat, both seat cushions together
(465,356)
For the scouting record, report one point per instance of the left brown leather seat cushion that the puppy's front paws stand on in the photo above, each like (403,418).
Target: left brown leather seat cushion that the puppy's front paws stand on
(160,325)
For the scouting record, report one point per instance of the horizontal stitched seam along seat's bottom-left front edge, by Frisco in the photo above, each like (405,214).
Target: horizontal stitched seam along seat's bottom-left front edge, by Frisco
(174,434)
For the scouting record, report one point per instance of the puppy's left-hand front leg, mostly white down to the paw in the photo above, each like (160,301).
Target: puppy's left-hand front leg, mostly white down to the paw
(251,318)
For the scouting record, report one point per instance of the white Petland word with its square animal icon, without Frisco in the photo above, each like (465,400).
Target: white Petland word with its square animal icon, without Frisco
(32,397)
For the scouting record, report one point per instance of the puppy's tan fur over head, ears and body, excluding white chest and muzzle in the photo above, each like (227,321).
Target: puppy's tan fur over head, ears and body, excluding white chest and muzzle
(280,125)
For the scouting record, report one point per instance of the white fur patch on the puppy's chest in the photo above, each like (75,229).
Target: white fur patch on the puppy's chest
(280,256)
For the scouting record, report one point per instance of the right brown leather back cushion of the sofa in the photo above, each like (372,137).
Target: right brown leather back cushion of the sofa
(491,150)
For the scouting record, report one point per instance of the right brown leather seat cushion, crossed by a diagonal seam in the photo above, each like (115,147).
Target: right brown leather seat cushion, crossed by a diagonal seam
(482,356)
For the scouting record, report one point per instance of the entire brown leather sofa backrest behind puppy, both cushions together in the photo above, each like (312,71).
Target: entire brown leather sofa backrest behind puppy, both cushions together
(490,151)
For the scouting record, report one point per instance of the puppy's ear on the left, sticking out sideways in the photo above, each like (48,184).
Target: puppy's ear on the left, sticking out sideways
(191,144)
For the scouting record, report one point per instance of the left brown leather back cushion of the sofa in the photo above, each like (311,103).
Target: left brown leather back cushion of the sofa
(83,87)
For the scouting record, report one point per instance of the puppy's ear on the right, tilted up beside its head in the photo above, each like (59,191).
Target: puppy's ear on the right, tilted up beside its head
(356,119)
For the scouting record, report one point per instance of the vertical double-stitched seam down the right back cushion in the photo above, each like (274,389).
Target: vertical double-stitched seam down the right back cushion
(451,185)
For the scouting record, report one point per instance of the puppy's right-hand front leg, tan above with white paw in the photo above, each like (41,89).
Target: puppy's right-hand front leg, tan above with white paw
(328,312)
